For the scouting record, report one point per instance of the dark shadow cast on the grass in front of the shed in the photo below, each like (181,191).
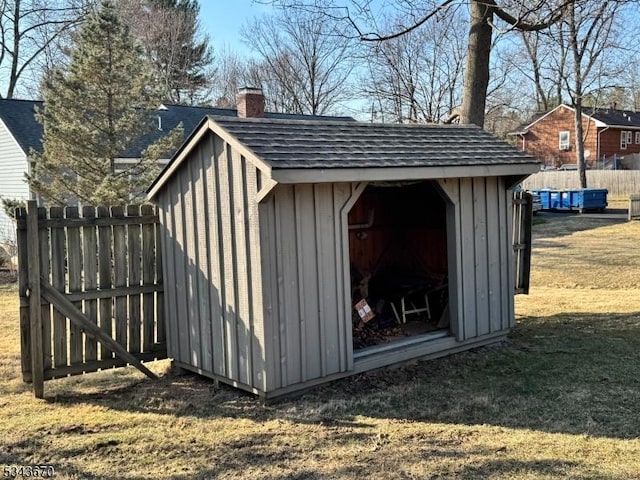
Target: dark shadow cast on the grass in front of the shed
(569,373)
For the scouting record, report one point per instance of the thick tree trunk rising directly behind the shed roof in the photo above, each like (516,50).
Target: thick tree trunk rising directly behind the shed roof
(476,78)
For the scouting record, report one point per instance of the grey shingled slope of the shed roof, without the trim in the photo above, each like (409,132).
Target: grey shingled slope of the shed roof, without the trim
(286,144)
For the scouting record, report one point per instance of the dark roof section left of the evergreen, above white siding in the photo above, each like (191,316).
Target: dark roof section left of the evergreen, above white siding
(19,117)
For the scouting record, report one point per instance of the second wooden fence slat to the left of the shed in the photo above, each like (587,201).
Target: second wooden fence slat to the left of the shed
(135,254)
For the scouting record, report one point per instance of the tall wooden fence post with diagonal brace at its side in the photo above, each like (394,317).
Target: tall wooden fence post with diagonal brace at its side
(35,317)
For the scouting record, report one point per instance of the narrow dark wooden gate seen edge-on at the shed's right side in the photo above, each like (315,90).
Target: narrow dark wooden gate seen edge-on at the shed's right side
(522,218)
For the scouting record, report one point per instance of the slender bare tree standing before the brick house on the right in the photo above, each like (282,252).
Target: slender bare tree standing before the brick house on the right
(575,60)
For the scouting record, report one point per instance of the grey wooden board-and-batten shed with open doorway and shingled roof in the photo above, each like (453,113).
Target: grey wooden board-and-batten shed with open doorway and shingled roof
(272,230)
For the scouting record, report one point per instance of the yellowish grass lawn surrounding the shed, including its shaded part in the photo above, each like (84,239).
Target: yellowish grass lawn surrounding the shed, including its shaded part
(561,399)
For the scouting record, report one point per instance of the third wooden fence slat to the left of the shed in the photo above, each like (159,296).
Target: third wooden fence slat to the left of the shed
(120,270)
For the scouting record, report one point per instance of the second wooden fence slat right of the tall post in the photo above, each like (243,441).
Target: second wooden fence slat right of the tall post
(58,254)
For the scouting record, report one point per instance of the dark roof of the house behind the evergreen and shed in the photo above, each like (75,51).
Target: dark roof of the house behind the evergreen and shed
(19,116)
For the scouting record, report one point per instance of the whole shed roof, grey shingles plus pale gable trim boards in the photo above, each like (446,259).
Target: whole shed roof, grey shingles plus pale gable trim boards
(295,150)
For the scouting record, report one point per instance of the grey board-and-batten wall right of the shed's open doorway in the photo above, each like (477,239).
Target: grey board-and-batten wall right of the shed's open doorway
(481,276)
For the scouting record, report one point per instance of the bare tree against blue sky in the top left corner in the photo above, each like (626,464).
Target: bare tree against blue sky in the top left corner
(30,31)
